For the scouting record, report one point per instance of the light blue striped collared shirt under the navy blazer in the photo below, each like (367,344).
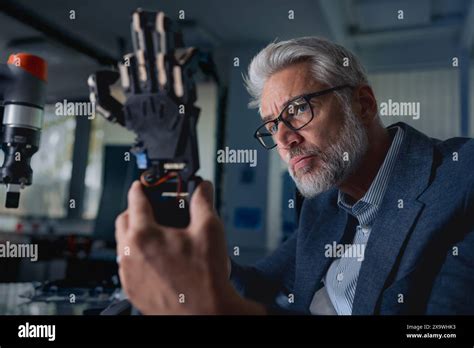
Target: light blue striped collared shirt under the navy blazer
(341,279)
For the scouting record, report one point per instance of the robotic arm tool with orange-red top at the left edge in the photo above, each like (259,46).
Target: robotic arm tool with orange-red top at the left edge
(23,94)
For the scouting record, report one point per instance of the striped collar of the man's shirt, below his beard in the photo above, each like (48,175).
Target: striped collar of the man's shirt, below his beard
(367,207)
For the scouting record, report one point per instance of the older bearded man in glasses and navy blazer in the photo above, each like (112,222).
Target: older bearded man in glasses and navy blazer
(403,199)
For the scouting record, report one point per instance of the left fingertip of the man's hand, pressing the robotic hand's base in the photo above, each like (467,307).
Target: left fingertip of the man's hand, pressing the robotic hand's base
(140,212)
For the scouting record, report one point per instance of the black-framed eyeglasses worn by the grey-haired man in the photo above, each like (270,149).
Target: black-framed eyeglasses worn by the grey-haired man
(296,114)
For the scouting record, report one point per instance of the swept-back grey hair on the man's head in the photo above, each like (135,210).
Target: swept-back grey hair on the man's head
(327,65)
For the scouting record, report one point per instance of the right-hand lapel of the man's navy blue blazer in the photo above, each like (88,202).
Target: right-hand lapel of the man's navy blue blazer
(394,223)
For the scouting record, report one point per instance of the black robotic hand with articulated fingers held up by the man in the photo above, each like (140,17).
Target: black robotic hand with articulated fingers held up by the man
(153,95)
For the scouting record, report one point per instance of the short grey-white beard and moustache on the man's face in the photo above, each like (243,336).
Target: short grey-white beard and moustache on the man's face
(332,169)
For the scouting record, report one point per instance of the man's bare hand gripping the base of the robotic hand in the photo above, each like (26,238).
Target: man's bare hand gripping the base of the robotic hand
(166,270)
